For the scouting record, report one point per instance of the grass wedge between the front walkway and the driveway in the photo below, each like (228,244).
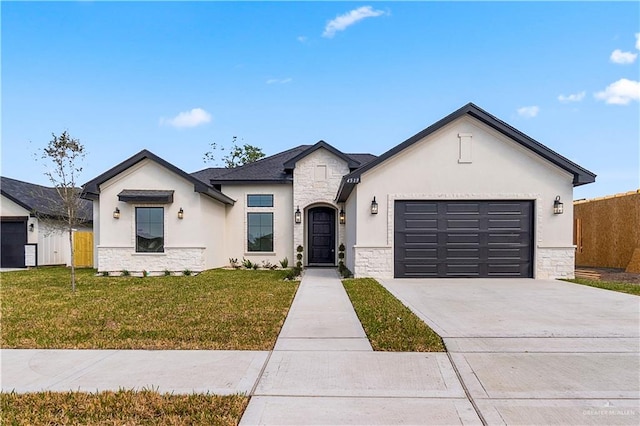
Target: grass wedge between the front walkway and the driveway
(390,326)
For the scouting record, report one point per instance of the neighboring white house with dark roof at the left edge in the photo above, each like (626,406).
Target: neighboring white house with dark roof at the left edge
(28,213)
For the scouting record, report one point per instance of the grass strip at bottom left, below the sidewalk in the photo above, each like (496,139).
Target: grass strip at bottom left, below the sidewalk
(120,408)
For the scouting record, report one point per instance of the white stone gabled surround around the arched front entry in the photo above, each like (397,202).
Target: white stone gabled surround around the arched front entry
(309,191)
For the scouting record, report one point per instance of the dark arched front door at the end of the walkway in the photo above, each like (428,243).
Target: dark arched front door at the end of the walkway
(322,235)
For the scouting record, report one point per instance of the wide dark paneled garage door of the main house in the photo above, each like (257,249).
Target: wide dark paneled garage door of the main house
(463,239)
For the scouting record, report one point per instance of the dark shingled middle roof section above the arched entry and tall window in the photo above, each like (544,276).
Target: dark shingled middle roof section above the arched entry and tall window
(271,169)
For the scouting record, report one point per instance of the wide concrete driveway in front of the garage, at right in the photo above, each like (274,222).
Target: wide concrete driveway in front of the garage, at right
(536,351)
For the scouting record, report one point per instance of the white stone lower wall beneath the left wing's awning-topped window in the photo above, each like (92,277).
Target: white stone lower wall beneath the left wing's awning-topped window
(112,259)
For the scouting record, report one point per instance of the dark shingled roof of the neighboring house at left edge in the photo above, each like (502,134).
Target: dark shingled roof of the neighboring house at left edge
(42,200)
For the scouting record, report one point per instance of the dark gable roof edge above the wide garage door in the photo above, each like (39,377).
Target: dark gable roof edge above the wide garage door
(581,175)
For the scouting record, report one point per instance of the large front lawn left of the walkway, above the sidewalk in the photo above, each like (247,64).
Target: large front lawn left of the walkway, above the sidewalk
(217,309)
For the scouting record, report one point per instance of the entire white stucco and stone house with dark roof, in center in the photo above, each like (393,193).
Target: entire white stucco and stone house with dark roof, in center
(469,196)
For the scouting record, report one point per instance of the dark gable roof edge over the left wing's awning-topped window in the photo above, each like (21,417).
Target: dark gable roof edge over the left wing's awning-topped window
(91,189)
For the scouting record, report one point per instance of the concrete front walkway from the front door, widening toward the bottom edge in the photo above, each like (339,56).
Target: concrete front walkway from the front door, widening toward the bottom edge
(323,371)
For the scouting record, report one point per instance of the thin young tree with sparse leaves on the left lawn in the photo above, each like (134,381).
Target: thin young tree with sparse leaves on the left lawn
(63,156)
